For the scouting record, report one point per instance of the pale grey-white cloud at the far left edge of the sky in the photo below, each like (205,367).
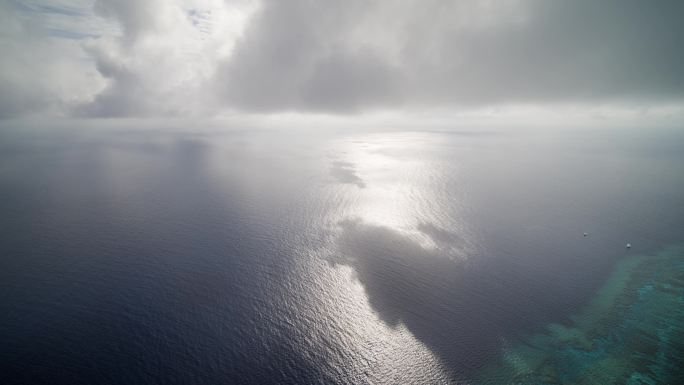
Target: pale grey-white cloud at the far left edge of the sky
(39,72)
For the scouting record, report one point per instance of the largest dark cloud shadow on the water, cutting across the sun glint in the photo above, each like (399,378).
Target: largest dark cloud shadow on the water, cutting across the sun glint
(460,316)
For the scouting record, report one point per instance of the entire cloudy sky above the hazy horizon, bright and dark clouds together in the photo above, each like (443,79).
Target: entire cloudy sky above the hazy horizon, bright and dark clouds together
(133,58)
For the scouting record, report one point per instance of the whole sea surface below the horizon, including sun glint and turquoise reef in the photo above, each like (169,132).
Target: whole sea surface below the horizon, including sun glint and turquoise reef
(153,253)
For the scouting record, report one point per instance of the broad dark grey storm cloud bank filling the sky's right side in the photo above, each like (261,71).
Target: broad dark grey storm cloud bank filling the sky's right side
(345,56)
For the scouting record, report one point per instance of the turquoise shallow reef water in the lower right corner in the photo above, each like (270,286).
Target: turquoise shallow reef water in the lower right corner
(632,332)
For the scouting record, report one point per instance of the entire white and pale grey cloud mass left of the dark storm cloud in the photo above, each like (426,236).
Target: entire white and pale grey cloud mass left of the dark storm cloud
(110,58)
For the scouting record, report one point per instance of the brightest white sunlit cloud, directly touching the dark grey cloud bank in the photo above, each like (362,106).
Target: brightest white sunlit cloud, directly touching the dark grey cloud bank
(162,62)
